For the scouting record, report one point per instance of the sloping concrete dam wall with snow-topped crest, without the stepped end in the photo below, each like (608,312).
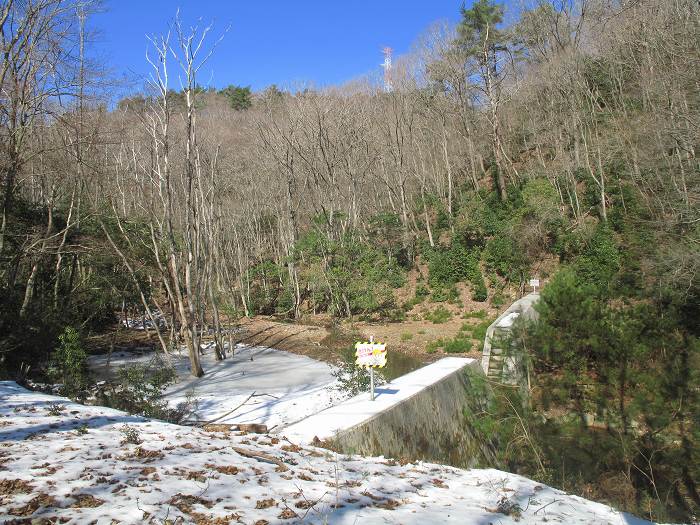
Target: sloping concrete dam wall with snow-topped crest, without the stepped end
(420,415)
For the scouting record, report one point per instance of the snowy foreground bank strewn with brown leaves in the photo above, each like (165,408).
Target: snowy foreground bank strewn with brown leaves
(61,462)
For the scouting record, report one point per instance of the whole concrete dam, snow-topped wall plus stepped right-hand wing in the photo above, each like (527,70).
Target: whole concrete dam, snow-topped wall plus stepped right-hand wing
(428,414)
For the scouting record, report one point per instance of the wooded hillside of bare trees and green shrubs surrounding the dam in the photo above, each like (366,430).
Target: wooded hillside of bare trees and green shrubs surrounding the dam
(561,145)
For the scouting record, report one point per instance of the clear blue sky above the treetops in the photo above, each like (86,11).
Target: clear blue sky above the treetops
(271,42)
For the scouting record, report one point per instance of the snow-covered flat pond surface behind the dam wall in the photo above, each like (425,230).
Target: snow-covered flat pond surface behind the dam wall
(286,387)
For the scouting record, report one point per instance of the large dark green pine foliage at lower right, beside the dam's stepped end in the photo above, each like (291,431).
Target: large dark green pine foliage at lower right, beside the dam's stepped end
(627,364)
